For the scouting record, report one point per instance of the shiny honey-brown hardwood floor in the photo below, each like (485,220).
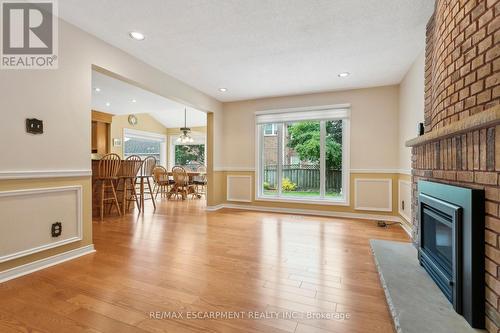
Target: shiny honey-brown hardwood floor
(183,259)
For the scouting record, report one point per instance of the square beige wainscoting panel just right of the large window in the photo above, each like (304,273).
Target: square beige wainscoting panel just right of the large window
(373,194)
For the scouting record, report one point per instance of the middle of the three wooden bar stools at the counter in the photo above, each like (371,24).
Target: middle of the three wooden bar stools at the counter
(129,170)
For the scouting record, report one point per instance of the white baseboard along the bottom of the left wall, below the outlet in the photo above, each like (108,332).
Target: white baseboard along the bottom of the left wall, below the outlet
(44,263)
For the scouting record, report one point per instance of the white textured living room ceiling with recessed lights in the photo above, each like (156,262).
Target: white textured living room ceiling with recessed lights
(261,48)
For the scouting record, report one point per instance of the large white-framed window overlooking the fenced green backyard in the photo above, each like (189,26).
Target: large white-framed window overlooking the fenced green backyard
(306,160)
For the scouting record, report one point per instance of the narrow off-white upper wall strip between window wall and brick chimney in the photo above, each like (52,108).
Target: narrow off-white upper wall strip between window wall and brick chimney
(411,108)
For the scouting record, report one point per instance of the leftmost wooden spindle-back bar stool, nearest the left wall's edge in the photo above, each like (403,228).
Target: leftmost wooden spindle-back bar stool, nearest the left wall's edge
(107,174)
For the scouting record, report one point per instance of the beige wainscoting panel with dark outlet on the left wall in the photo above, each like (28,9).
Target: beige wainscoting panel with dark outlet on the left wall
(27,217)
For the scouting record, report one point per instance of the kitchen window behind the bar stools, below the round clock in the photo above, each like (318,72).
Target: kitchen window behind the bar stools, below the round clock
(144,144)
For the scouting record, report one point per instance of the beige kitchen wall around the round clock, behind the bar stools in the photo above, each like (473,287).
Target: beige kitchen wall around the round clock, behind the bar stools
(145,123)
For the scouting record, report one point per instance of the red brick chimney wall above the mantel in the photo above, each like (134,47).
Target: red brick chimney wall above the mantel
(462,60)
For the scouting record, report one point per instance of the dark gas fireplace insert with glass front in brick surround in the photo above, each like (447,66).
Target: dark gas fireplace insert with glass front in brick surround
(451,245)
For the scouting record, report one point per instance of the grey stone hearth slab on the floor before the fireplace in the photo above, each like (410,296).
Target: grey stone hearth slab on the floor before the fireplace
(417,305)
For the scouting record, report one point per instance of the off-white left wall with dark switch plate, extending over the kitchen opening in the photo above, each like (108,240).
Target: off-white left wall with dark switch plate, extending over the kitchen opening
(62,99)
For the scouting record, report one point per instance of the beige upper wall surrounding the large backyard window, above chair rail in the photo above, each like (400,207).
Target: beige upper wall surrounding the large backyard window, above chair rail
(374,126)
